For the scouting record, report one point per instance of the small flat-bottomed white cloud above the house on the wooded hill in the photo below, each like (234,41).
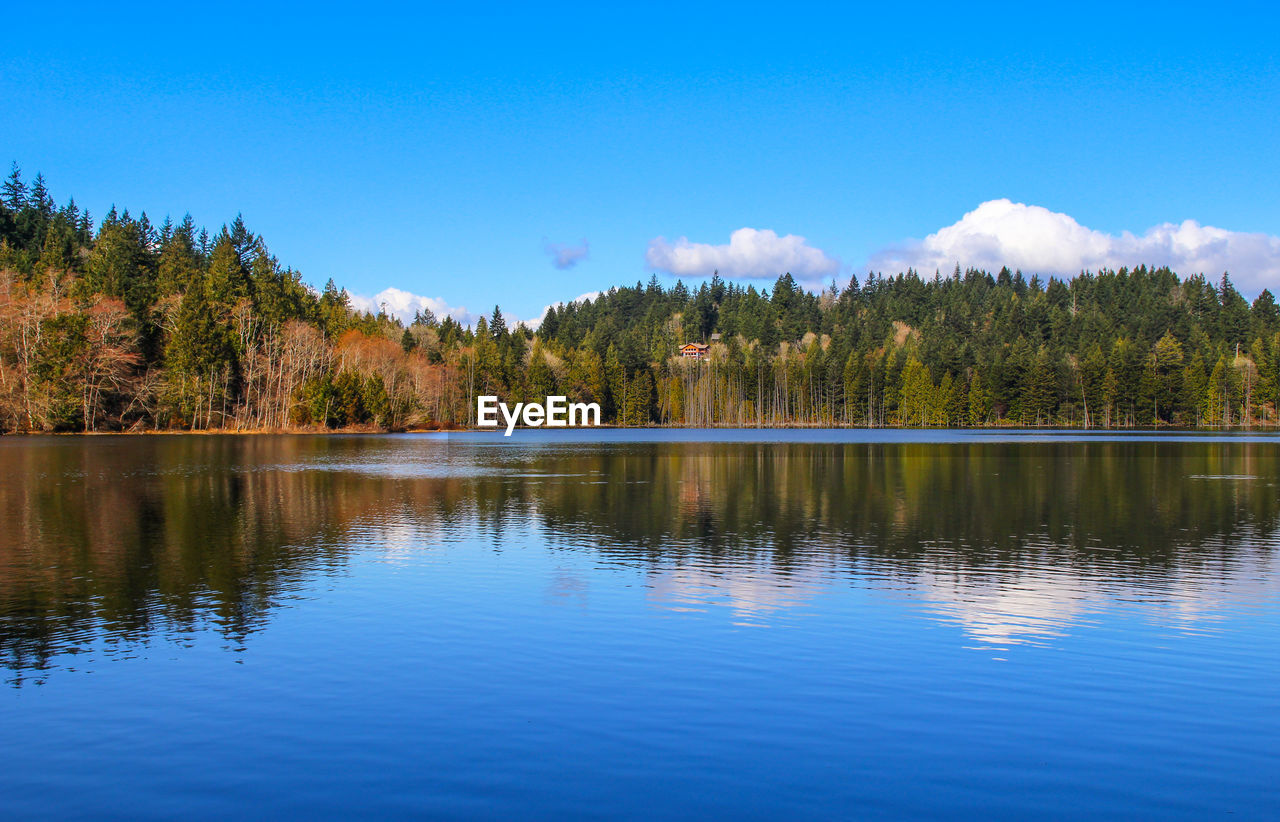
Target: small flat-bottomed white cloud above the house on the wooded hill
(751,254)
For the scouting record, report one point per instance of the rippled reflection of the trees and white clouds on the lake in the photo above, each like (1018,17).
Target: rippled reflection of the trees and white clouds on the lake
(112,542)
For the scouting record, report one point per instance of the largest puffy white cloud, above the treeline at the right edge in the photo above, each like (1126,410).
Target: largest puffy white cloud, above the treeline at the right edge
(1034,239)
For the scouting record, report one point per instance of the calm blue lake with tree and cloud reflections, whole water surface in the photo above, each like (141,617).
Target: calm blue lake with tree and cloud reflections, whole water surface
(641,624)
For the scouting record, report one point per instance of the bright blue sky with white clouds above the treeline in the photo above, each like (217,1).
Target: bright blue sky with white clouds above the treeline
(441,152)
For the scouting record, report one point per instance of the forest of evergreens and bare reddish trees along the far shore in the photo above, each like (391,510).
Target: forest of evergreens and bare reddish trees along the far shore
(126,326)
